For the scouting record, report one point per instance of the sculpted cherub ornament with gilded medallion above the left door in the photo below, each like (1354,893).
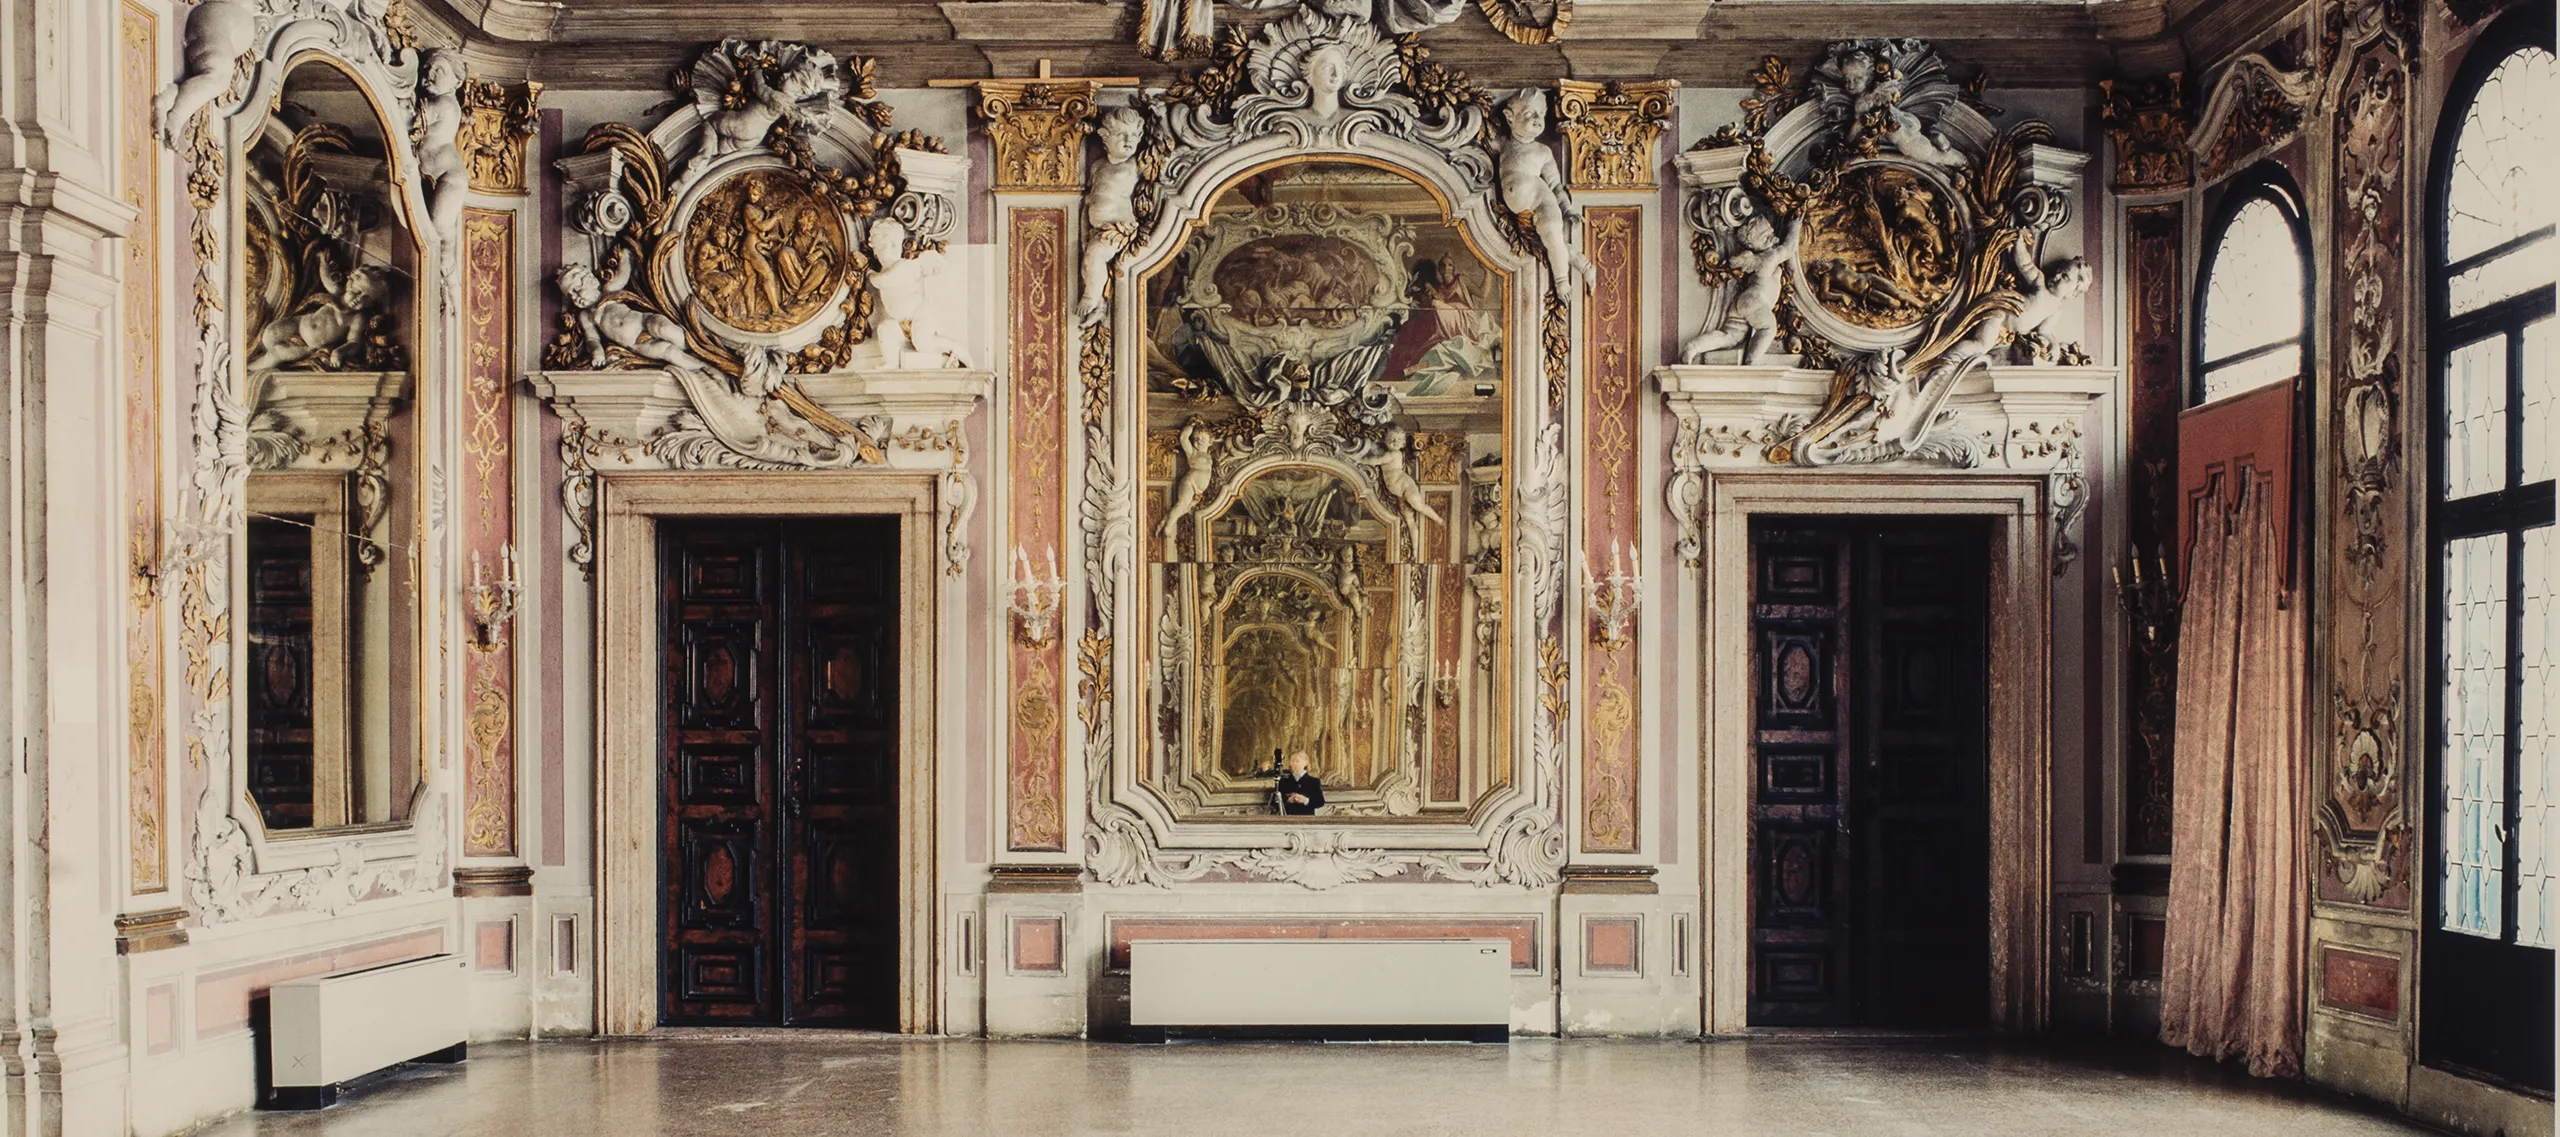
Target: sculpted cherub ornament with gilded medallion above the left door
(756,265)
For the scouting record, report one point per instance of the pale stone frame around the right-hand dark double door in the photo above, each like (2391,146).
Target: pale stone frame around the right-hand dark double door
(2021,703)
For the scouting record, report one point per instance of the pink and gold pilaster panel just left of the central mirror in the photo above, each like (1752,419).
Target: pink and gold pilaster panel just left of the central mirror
(1036,770)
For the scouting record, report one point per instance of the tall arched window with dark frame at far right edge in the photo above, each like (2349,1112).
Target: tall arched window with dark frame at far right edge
(2495,570)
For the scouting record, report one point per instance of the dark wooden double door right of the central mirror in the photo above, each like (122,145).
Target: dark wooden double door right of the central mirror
(1870,752)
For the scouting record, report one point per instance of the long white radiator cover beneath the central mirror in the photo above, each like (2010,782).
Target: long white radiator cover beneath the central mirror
(1320,982)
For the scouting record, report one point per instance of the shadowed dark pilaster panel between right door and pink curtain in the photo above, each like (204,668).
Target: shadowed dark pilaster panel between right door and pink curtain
(2154,350)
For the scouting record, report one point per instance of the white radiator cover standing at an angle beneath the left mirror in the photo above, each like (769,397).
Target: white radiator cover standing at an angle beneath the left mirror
(337,1028)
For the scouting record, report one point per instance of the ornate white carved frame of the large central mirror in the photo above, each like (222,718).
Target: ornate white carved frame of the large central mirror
(1402,114)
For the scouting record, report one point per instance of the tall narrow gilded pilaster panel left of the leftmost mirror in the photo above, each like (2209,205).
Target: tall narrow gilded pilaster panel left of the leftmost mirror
(140,168)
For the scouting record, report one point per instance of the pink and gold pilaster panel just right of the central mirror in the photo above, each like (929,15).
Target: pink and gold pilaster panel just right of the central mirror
(1612,521)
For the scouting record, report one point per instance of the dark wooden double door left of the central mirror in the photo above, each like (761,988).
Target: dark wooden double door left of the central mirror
(780,772)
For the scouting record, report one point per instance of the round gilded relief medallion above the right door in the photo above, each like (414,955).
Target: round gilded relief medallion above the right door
(1880,247)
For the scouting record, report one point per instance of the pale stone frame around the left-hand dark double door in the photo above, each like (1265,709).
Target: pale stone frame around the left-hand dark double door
(628,703)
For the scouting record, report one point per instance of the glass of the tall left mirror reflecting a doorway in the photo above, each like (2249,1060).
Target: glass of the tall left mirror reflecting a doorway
(329,593)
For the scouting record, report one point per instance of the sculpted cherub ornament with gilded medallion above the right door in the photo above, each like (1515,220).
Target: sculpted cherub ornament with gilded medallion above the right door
(1916,232)
